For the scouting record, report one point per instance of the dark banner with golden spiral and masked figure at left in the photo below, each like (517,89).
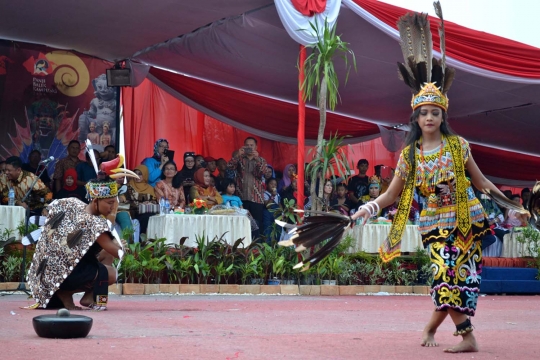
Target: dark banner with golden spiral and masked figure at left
(49,97)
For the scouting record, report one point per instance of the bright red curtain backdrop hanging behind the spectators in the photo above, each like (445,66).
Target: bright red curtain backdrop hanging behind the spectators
(150,113)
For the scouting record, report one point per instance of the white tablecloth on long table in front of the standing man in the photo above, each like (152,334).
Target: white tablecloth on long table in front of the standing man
(175,227)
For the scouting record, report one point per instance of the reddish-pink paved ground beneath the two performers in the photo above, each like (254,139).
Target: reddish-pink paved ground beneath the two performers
(273,327)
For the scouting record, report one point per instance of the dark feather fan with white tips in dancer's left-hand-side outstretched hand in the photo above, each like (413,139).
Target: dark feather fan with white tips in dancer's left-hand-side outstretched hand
(315,230)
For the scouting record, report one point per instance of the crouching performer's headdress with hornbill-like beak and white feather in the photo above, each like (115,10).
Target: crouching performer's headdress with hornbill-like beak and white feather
(105,185)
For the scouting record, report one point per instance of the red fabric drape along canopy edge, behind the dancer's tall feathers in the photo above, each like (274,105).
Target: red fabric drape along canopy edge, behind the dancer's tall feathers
(473,47)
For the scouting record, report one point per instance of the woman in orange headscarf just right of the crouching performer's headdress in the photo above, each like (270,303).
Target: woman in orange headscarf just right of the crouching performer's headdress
(141,193)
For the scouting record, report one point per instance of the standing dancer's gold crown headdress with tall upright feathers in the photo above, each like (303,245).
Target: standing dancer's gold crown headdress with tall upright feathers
(428,78)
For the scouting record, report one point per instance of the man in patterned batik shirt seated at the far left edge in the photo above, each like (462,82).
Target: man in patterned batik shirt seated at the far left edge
(21,181)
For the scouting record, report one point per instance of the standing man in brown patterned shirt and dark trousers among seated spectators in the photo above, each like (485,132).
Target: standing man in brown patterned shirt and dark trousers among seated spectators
(250,168)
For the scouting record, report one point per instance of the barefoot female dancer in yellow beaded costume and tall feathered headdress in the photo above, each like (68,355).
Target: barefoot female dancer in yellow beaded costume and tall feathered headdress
(433,163)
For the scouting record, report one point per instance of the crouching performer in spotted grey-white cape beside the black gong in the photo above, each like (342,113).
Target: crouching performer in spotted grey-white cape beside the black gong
(76,249)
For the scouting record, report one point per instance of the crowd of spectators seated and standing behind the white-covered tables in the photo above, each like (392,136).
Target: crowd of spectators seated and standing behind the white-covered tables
(245,180)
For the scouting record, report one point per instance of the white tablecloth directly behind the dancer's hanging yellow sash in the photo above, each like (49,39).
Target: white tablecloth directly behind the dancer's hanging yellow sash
(370,237)
